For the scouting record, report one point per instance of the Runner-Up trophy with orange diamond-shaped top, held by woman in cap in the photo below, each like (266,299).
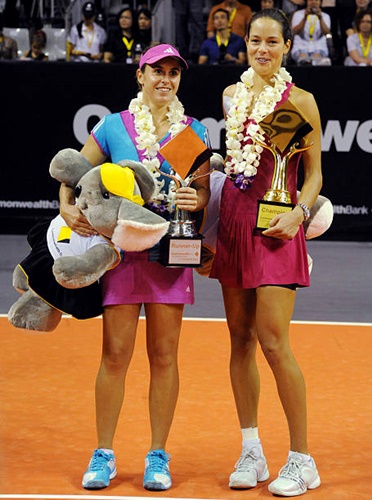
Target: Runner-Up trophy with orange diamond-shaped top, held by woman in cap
(182,245)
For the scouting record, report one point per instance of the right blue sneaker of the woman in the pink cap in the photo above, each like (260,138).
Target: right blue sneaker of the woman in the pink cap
(157,476)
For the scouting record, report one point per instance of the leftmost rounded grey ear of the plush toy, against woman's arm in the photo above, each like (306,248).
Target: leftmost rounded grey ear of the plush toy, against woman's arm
(69,166)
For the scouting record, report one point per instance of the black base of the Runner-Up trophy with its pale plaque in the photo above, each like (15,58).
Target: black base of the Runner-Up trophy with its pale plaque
(181,251)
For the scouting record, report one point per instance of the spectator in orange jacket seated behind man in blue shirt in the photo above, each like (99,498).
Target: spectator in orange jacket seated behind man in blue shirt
(240,15)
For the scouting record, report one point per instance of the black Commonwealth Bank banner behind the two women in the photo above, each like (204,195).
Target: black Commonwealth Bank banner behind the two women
(50,106)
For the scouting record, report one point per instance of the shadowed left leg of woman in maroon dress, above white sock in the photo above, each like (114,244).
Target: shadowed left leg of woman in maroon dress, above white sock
(240,314)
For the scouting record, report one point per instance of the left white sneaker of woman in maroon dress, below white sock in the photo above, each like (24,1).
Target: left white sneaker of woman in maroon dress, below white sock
(249,469)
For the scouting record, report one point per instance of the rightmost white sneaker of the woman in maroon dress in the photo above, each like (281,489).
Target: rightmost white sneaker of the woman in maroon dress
(296,477)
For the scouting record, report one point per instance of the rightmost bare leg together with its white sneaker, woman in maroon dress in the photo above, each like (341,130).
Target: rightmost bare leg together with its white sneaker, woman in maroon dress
(274,312)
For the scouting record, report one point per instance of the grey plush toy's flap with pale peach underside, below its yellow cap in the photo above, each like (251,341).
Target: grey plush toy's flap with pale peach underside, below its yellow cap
(138,228)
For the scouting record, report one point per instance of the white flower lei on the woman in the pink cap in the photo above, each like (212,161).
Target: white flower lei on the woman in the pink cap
(148,146)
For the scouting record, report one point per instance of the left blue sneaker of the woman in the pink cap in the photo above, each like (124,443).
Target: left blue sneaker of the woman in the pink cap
(101,468)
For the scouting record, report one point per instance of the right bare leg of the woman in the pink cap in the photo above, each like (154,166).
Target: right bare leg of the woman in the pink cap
(163,330)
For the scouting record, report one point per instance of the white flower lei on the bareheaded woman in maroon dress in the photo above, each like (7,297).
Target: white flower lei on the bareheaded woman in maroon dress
(243,152)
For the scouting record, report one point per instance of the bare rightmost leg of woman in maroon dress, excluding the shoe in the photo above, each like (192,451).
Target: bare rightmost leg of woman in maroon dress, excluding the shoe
(273,315)
